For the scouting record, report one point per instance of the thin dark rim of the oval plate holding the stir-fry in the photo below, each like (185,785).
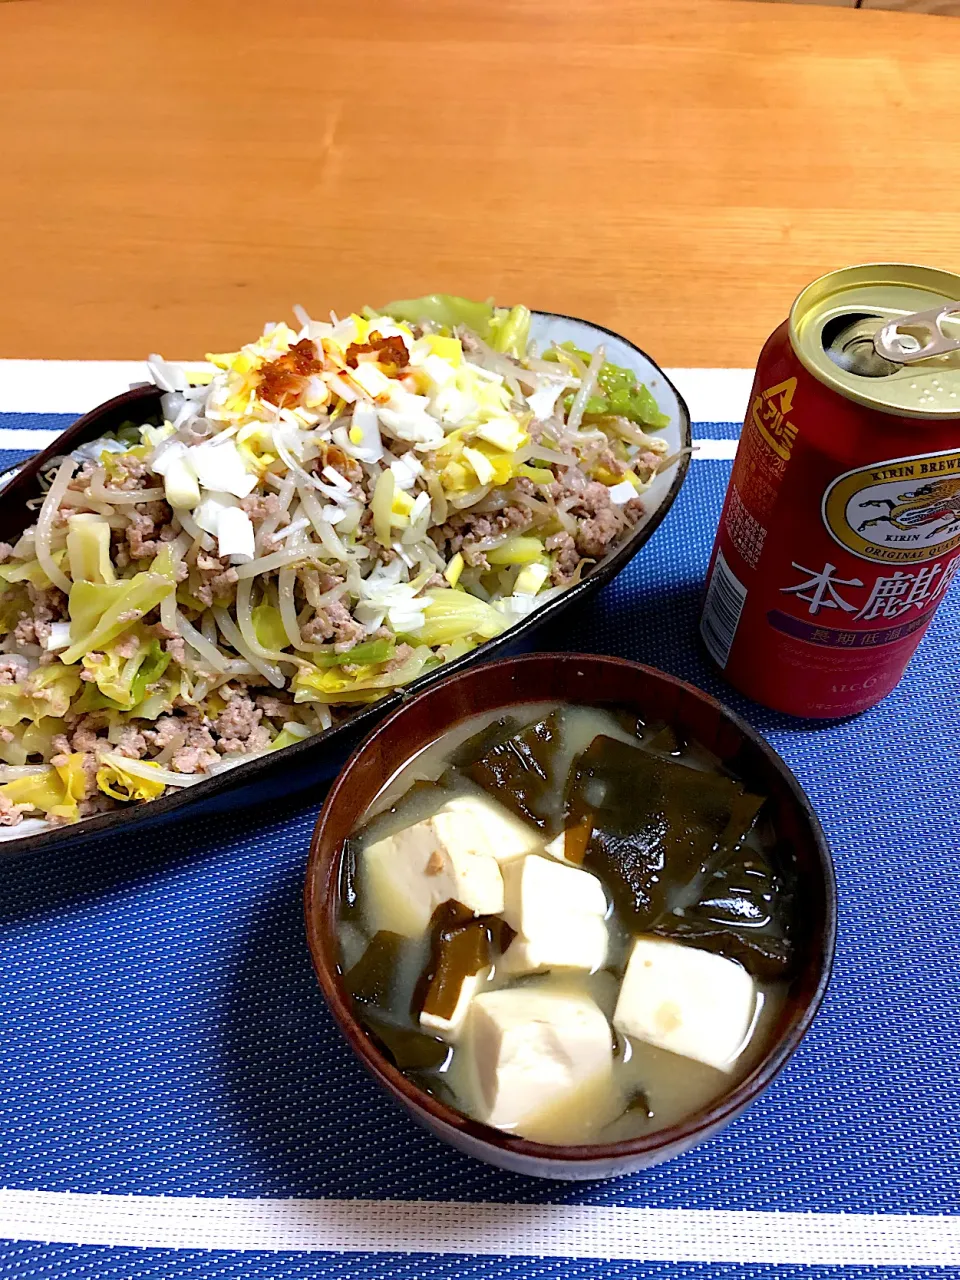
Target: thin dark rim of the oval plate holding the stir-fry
(117,821)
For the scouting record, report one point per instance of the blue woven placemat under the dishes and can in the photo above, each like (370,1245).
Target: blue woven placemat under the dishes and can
(162,1032)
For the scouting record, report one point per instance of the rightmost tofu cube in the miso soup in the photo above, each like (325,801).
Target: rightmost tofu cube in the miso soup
(692,1003)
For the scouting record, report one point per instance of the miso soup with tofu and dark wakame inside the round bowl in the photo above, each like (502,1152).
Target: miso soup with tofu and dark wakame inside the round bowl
(685,861)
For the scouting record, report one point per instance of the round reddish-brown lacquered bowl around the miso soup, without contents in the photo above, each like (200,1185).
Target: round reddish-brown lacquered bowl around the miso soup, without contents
(596,682)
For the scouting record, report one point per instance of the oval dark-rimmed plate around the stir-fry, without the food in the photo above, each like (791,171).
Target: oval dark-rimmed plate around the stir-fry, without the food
(317,760)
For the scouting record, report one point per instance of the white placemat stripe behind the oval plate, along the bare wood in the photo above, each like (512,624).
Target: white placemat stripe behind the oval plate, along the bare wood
(76,386)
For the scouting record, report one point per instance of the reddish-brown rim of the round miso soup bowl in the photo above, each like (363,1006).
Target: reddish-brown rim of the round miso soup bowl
(703,1122)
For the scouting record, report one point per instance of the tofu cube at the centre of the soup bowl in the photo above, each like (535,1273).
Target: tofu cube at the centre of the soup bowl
(541,892)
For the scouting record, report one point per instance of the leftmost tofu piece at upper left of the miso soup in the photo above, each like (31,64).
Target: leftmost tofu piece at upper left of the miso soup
(408,876)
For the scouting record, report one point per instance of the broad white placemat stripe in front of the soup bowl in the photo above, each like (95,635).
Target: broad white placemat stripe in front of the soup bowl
(493,1231)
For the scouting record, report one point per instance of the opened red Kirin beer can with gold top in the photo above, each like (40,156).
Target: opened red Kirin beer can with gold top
(840,533)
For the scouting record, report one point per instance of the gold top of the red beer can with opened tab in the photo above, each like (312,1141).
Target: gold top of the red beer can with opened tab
(845,328)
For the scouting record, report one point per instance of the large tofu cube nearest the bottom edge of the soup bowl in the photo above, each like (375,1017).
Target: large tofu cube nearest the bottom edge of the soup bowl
(533,1049)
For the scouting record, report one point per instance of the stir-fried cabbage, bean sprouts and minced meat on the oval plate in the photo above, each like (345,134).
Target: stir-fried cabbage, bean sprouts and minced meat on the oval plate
(318,519)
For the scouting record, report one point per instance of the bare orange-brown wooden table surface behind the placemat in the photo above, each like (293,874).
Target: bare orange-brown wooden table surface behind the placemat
(173,175)
